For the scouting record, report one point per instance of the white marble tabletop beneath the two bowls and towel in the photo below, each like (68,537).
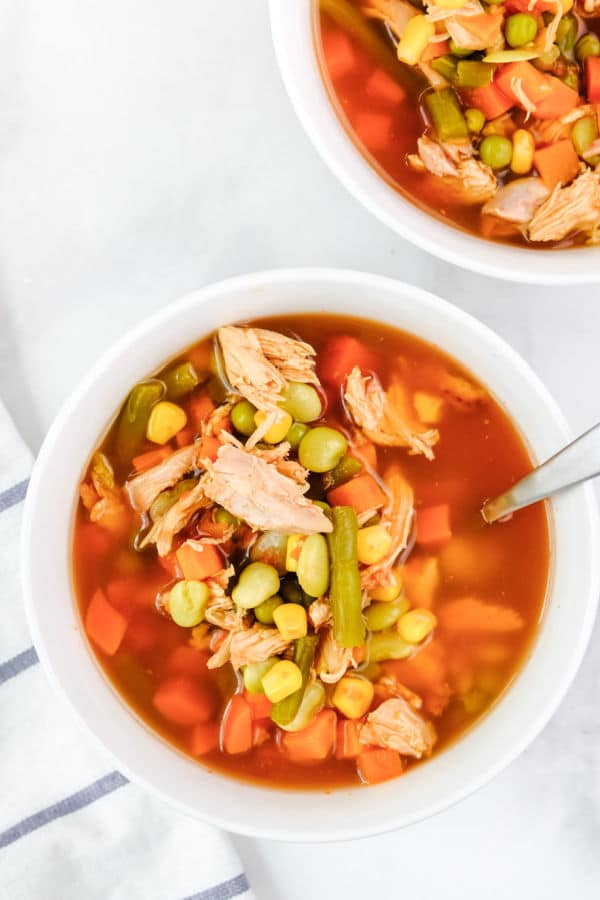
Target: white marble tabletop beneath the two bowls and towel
(146,148)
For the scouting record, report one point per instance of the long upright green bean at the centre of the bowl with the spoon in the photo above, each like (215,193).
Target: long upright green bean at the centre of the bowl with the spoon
(345,590)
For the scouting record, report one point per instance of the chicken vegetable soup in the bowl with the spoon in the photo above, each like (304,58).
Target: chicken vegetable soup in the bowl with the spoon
(279,555)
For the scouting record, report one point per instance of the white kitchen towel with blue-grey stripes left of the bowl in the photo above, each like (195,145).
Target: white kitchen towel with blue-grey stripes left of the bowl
(71,827)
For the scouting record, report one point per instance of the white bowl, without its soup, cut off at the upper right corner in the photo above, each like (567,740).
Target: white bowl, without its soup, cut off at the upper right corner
(292,23)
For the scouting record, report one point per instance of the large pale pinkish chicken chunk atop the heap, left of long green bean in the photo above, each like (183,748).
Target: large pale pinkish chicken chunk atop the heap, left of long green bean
(256,492)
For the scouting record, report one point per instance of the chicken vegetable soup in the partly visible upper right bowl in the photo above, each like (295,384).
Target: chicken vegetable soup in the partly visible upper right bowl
(483,113)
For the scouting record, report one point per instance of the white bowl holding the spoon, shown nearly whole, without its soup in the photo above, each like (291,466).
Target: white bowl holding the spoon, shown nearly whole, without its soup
(147,758)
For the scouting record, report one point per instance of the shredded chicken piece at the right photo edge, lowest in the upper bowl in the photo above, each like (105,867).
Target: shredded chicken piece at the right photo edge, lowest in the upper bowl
(569,209)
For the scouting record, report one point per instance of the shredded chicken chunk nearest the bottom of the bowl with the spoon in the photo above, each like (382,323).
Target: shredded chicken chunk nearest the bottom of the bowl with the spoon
(395,725)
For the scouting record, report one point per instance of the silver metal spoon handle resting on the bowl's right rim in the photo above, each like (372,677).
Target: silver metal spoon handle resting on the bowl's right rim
(577,462)
